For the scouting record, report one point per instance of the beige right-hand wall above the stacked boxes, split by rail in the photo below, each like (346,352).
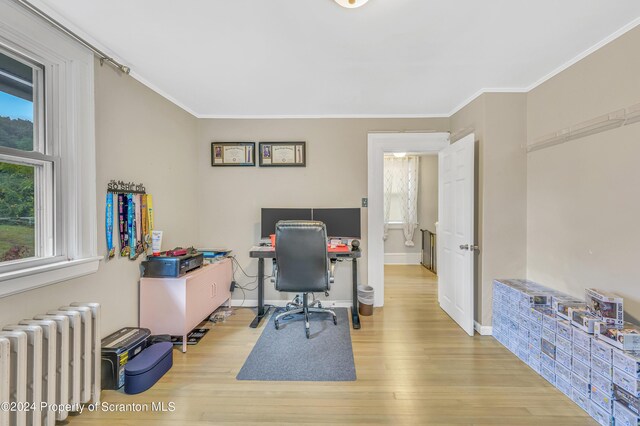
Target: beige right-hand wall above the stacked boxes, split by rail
(583,204)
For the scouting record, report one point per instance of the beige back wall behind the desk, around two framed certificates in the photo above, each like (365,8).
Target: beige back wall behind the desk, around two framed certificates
(335,176)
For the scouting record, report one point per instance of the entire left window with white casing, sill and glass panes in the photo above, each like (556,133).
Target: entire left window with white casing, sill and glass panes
(47,154)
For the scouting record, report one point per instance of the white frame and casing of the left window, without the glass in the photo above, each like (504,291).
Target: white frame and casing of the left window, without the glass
(68,127)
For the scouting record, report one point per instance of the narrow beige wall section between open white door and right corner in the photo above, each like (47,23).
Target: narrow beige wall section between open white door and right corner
(499,123)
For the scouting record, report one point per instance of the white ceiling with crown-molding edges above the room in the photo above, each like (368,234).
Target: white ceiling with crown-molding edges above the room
(259,58)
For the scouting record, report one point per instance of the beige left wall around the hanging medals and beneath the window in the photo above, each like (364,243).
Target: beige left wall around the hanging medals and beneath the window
(140,137)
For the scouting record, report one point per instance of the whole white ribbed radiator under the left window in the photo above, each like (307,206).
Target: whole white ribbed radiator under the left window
(52,359)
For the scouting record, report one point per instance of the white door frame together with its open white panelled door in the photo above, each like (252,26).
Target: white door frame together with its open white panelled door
(456,246)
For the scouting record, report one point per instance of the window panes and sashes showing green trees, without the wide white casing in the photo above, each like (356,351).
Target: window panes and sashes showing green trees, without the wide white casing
(26,168)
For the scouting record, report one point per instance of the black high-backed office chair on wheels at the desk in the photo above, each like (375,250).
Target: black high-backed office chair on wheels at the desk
(302,266)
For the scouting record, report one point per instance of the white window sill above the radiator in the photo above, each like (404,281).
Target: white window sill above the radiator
(39,276)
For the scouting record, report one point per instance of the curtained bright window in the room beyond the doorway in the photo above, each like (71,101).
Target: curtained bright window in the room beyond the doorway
(401,194)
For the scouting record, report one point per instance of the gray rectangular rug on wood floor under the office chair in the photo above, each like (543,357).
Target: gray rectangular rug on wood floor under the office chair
(287,355)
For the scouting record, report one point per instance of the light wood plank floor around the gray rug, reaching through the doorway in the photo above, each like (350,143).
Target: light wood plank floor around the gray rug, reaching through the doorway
(414,367)
